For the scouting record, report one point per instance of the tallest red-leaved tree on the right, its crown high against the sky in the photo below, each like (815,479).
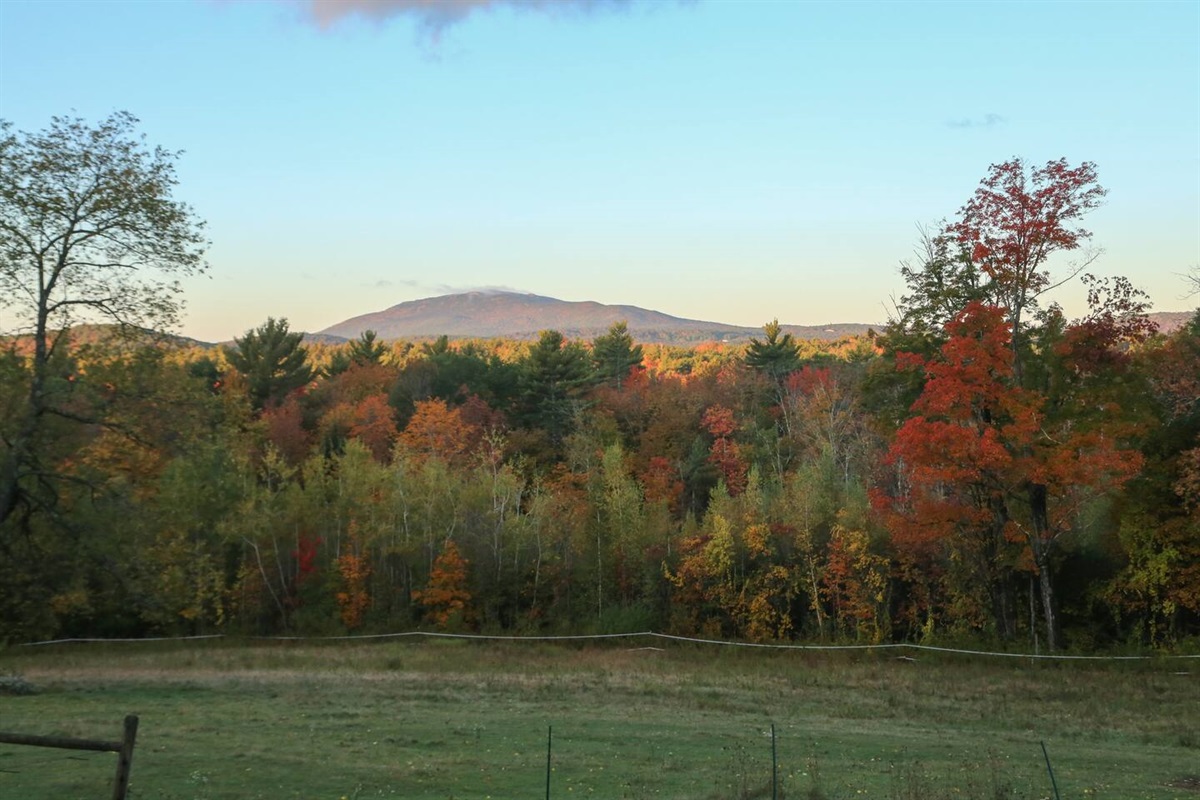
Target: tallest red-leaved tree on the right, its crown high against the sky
(983,279)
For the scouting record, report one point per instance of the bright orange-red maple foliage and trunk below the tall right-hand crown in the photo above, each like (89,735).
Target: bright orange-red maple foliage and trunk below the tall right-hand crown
(985,458)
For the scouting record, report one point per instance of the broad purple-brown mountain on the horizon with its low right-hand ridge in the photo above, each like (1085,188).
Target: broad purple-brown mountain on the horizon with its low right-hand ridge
(493,315)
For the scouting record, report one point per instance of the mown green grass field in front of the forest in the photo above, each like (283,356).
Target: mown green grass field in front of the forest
(448,719)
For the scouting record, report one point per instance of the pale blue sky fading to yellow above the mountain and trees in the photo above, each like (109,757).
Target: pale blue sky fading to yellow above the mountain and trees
(734,161)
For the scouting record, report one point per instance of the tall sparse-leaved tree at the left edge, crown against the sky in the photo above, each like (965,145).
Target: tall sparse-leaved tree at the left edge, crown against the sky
(89,232)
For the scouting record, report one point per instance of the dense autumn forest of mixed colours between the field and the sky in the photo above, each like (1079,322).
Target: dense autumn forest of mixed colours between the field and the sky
(980,471)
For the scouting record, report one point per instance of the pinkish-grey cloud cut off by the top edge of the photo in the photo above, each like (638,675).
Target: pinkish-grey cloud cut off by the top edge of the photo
(435,16)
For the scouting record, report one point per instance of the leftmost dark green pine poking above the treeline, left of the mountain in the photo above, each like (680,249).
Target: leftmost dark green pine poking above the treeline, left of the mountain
(273,360)
